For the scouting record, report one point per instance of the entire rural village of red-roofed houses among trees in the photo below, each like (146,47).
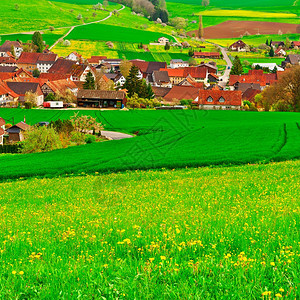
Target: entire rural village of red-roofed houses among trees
(46,81)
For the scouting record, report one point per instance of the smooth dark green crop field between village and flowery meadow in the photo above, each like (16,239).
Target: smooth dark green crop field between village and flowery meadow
(168,139)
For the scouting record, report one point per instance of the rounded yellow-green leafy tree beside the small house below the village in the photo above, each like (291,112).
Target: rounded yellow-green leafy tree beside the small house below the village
(41,139)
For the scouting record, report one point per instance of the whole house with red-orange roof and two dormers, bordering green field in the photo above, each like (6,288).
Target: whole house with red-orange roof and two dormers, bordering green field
(219,99)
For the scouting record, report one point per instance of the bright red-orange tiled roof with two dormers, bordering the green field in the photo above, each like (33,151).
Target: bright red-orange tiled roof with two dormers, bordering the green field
(230,97)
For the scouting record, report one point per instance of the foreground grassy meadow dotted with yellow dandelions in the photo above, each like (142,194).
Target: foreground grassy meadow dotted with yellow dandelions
(222,233)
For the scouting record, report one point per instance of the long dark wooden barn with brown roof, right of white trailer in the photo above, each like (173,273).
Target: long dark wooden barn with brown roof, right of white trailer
(101,99)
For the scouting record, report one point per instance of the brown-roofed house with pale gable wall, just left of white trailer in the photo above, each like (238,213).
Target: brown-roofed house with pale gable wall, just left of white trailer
(21,88)
